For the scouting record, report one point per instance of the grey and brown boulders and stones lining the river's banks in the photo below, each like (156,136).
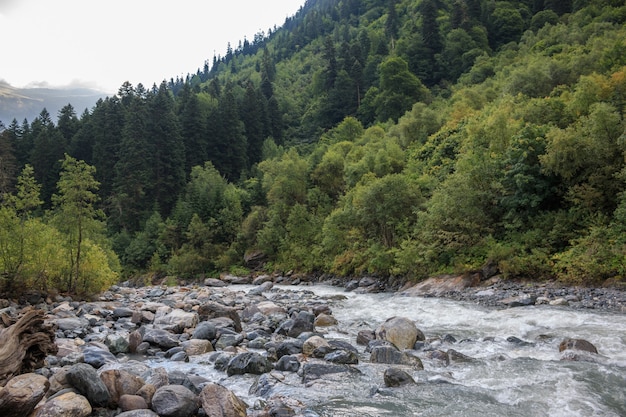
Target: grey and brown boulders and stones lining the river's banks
(113,352)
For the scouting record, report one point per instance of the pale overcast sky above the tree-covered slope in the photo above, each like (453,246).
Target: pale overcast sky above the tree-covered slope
(102,43)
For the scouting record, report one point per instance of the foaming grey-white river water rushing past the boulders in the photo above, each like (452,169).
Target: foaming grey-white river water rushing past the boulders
(504,379)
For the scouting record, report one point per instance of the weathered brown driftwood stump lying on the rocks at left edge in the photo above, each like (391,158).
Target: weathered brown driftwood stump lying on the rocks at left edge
(24,344)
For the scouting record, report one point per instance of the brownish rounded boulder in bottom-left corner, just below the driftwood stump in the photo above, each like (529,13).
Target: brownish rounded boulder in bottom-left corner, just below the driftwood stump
(21,394)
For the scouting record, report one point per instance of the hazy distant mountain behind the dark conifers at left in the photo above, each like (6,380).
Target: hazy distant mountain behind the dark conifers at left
(21,103)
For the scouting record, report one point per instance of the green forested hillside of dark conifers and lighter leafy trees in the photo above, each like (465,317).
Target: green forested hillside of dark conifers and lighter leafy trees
(386,137)
